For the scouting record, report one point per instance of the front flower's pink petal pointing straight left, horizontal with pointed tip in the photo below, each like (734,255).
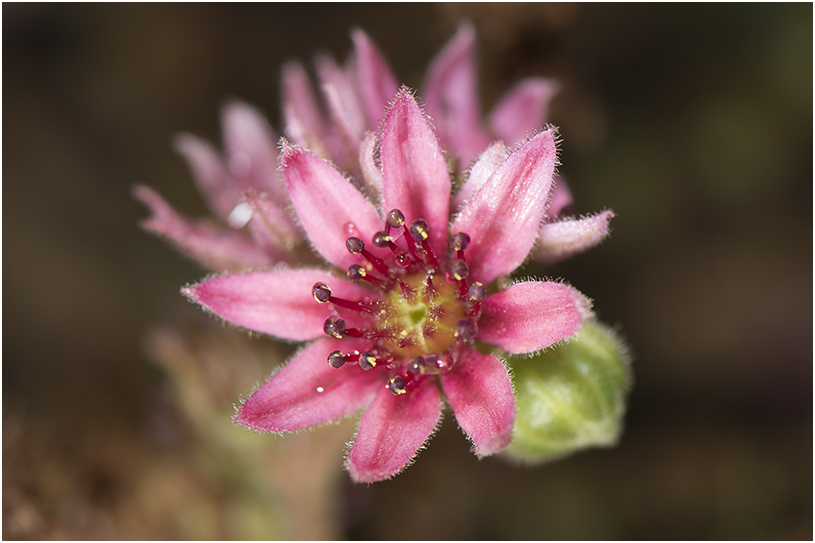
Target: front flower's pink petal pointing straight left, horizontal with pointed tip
(278,303)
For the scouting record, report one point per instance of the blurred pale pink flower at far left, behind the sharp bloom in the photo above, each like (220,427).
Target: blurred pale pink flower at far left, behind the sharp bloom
(244,193)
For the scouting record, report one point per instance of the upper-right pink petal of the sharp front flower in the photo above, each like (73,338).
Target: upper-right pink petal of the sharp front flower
(503,217)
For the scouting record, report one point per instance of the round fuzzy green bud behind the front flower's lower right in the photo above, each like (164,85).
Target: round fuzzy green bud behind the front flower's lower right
(571,397)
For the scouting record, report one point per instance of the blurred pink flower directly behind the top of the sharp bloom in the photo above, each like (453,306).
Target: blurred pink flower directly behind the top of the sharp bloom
(354,97)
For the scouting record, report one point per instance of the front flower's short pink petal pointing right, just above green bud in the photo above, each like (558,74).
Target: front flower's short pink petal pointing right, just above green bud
(530,316)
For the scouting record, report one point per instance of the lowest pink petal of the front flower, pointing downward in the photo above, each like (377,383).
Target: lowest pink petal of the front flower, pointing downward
(392,430)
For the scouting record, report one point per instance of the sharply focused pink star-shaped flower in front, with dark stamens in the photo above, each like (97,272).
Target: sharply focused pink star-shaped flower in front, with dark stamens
(417,292)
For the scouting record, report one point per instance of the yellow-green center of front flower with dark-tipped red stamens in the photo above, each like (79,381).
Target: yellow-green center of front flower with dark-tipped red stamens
(418,317)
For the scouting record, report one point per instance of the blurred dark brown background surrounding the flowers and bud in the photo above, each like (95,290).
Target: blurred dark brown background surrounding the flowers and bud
(692,122)
